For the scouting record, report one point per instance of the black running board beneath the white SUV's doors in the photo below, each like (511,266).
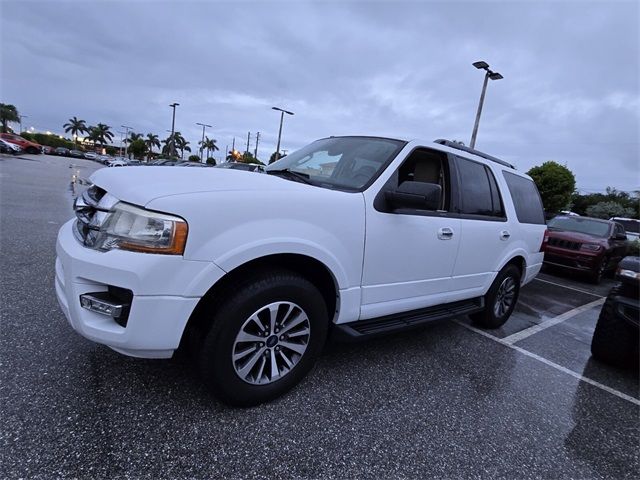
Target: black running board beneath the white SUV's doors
(373,327)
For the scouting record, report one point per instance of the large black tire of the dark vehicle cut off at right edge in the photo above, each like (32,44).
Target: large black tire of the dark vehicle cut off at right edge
(615,341)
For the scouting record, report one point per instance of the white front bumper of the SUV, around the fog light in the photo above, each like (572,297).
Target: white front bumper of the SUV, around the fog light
(166,289)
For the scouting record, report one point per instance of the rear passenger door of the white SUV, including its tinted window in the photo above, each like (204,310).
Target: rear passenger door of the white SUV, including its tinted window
(483,224)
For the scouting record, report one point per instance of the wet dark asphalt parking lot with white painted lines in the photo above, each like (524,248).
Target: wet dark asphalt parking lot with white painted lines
(446,401)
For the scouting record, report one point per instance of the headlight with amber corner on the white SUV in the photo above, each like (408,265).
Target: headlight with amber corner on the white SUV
(136,229)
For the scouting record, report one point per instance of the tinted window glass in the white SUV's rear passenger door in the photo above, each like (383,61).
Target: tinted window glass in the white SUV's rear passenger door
(479,192)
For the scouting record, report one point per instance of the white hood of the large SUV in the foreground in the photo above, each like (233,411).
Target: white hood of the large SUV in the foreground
(142,184)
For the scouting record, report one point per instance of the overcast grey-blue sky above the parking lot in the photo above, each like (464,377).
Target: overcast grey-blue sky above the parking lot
(570,93)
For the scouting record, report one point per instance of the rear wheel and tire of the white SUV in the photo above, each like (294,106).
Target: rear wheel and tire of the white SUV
(500,300)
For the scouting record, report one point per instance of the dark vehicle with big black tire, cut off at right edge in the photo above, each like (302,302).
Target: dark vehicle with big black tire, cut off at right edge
(616,339)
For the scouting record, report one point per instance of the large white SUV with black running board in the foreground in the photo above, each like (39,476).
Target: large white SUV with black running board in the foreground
(358,235)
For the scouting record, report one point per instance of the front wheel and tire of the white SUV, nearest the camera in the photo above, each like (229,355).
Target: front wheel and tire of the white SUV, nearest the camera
(264,338)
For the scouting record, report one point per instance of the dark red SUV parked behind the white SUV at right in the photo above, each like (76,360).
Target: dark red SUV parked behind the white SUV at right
(582,244)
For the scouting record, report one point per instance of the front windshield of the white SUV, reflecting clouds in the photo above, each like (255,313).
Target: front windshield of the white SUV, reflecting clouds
(341,162)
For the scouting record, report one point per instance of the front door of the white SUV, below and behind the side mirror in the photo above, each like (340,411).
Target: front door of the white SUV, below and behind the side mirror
(409,253)
